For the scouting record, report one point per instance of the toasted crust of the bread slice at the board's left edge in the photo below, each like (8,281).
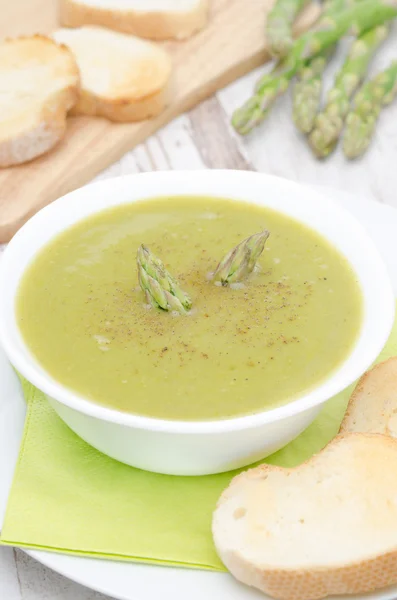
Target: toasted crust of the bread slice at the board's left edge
(45,121)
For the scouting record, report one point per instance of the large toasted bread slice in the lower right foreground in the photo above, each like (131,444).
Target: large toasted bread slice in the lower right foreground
(328,526)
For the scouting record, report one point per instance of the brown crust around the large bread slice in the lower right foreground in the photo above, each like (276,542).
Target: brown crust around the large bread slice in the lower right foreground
(309,583)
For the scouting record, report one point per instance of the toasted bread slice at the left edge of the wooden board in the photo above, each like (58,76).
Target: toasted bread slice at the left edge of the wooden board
(39,83)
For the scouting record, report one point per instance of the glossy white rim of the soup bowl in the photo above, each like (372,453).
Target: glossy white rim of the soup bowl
(30,369)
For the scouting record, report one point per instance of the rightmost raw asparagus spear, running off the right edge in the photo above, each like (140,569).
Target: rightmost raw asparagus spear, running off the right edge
(361,120)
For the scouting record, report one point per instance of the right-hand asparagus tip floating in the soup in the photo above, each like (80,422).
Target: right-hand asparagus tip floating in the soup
(241,260)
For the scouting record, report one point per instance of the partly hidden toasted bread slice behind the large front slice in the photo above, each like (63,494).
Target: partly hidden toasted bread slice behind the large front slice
(373,405)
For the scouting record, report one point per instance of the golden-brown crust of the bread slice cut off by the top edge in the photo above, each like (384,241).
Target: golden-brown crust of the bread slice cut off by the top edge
(152,25)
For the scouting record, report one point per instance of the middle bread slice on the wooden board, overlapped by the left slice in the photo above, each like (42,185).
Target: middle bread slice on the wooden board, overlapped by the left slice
(123,78)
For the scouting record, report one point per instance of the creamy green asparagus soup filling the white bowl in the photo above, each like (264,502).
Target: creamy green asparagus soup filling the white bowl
(246,345)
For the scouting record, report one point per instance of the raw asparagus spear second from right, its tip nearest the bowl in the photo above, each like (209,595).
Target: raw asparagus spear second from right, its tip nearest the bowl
(329,123)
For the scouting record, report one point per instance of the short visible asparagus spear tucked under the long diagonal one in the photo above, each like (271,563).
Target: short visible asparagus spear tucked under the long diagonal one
(308,91)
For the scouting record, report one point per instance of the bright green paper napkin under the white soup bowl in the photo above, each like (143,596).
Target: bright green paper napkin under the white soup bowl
(68,497)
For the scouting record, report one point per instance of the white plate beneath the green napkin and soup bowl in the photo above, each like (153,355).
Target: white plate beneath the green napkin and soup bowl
(130,581)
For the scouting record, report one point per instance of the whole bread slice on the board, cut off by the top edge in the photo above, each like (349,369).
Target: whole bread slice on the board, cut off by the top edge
(153,19)
